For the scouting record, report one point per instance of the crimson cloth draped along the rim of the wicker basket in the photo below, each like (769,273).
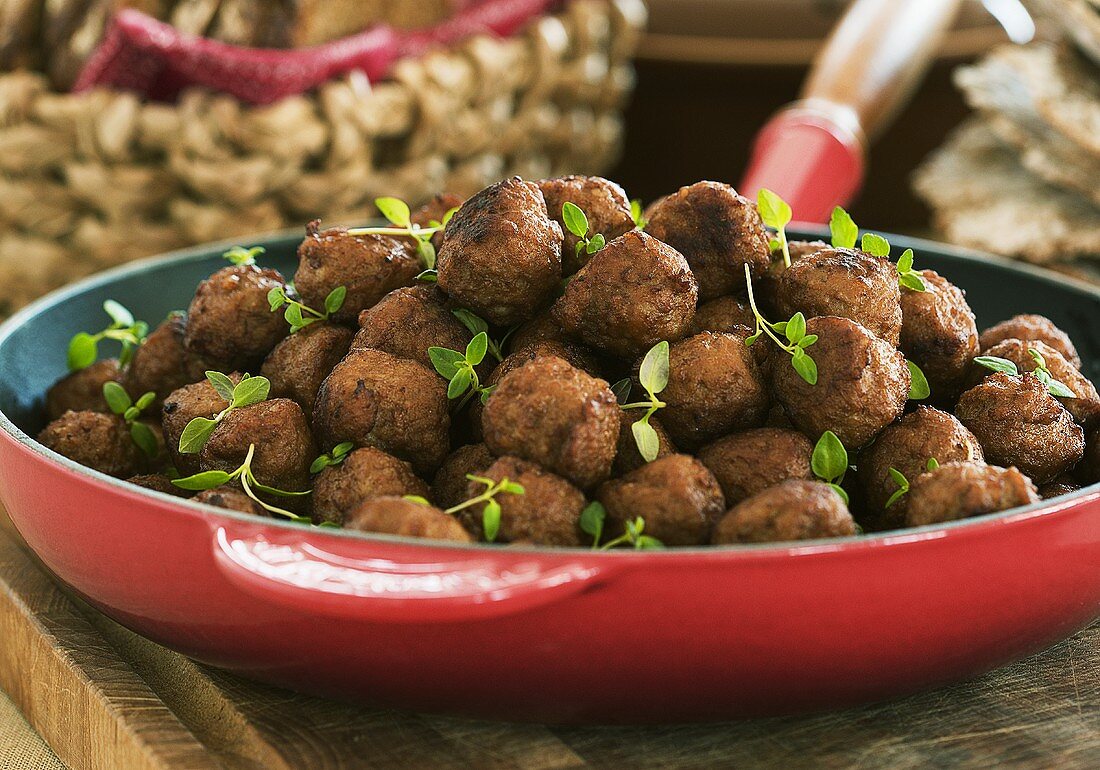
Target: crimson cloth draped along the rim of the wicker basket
(145,56)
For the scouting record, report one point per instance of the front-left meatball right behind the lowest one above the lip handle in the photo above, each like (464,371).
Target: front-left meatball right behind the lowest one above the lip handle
(366,474)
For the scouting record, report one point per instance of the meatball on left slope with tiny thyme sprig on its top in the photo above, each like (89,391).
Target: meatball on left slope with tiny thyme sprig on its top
(230,324)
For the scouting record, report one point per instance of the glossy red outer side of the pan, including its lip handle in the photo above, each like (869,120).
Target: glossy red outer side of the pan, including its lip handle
(569,635)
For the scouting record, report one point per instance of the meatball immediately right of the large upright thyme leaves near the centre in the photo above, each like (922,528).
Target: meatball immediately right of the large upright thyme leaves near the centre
(716,387)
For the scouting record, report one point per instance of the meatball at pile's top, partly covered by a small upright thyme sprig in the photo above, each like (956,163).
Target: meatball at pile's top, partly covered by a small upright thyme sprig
(604,204)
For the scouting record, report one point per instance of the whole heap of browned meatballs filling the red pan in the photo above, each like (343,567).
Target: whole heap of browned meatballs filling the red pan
(738,426)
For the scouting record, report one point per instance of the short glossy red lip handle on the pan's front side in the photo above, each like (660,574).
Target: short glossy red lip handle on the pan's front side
(401,585)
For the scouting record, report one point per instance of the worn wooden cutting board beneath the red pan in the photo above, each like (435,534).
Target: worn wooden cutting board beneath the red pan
(106,699)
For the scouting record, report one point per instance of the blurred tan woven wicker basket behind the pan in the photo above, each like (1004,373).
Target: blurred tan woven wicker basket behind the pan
(95,180)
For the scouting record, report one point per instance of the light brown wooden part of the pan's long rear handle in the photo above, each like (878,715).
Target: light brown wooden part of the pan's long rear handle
(875,59)
